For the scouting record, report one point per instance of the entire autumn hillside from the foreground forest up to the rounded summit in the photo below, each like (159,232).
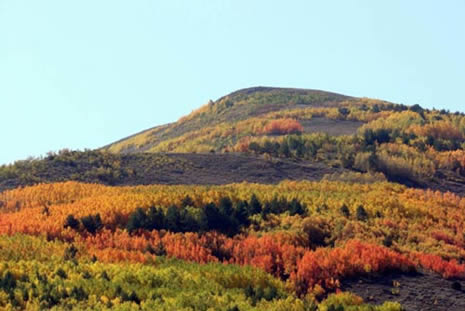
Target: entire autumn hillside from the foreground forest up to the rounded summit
(266,199)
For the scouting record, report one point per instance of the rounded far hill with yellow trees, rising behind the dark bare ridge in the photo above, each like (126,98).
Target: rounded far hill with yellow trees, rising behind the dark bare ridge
(411,145)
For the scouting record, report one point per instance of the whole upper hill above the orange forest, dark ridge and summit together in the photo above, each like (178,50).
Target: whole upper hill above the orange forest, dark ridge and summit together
(267,126)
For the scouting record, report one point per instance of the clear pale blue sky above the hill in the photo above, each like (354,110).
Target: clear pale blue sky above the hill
(82,74)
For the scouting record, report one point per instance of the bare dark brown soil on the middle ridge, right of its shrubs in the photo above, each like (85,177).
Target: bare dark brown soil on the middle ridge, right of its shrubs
(214,169)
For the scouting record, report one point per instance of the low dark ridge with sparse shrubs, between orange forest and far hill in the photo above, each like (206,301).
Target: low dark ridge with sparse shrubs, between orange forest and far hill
(147,168)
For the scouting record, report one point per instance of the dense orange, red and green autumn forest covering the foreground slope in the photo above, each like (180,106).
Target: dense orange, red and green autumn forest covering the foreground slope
(234,247)
